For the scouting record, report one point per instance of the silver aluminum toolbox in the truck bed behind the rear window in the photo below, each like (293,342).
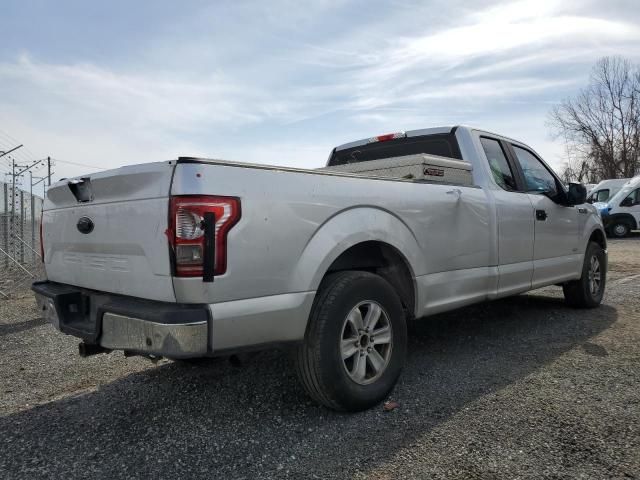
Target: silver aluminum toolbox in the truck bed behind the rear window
(416,167)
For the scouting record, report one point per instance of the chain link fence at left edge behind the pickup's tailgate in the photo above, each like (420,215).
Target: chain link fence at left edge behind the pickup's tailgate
(20,262)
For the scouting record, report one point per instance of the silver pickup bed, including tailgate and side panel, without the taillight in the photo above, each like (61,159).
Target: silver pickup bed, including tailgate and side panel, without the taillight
(283,210)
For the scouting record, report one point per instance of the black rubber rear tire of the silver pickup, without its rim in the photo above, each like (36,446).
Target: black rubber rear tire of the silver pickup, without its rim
(319,362)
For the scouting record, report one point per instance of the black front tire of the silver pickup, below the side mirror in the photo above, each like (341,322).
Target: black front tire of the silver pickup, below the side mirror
(579,293)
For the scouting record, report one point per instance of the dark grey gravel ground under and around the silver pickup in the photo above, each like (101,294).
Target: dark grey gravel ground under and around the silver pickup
(517,388)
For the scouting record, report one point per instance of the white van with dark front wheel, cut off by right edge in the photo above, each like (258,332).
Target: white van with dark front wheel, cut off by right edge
(622,212)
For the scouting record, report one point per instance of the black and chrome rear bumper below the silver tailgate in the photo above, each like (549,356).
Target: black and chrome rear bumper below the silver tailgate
(117,322)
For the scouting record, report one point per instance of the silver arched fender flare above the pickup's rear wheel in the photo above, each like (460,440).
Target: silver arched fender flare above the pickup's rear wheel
(346,229)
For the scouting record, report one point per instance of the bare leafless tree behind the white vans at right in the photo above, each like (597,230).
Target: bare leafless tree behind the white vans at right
(601,125)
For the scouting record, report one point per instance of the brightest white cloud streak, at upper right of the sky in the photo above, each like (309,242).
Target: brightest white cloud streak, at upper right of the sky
(501,34)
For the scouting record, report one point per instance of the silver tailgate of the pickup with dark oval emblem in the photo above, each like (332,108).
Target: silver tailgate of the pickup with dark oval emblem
(106,231)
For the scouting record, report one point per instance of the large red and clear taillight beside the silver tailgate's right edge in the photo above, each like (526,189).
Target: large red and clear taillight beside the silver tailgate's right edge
(187,231)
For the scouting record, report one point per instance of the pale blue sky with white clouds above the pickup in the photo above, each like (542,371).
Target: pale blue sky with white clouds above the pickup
(105,84)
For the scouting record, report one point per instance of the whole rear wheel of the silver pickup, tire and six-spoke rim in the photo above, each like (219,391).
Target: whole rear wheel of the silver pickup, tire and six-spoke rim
(355,344)
